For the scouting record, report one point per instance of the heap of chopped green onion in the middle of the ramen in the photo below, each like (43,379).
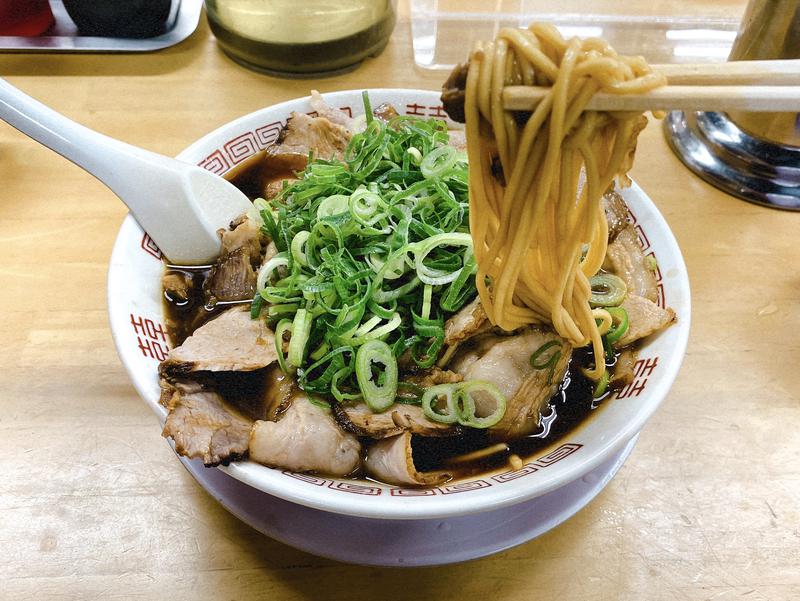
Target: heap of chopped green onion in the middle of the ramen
(374,253)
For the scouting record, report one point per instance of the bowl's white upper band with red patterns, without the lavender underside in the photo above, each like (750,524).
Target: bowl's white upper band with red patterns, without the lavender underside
(137,323)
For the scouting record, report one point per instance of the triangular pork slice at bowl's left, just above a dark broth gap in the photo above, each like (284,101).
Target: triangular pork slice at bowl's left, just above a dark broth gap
(230,342)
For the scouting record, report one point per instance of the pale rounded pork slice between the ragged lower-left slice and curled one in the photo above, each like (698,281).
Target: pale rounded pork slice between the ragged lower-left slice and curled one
(305,438)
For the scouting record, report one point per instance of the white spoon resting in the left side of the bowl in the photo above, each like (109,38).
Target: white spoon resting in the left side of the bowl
(181,206)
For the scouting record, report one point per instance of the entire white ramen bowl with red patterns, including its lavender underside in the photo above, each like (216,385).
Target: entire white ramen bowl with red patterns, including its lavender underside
(477,514)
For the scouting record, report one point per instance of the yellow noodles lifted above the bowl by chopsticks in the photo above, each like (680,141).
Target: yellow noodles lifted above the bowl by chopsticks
(538,228)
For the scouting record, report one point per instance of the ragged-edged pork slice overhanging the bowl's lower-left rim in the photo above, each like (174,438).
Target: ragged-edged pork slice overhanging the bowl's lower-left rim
(204,426)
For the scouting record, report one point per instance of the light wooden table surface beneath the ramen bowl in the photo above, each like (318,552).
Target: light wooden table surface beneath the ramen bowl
(93,504)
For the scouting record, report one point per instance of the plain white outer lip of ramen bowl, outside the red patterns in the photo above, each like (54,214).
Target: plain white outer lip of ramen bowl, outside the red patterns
(405,508)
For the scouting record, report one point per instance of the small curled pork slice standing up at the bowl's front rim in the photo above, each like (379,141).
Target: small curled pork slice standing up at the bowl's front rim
(391,460)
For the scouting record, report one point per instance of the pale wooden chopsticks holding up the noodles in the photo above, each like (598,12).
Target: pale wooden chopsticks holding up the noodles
(757,86)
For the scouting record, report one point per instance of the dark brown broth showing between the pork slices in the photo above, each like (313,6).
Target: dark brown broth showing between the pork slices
(569,408)
